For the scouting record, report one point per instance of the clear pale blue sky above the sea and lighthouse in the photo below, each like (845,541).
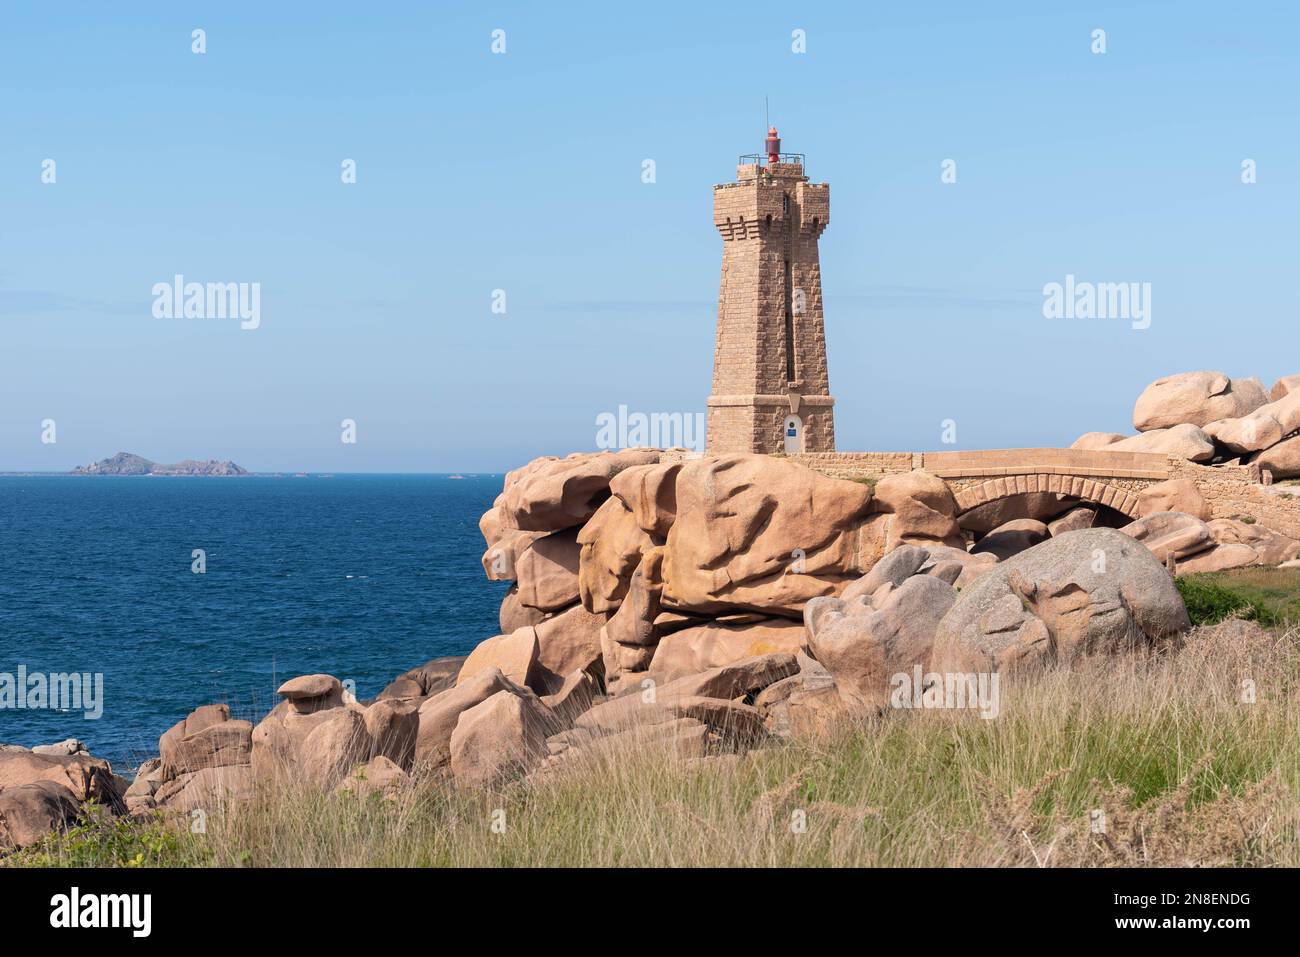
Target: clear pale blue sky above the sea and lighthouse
(523,172)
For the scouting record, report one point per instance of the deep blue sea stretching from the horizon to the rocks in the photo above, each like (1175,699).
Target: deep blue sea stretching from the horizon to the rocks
(354,575)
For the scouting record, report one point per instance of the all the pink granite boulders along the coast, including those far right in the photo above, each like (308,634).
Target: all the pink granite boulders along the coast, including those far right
(713,605)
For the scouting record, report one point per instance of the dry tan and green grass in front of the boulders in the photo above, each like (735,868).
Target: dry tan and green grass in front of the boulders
(1184,770)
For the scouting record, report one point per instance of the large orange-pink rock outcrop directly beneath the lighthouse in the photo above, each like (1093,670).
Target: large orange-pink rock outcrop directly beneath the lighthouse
(669,551)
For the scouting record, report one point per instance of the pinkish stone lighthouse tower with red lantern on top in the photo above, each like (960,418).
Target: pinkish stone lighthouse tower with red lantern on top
(772,393)
